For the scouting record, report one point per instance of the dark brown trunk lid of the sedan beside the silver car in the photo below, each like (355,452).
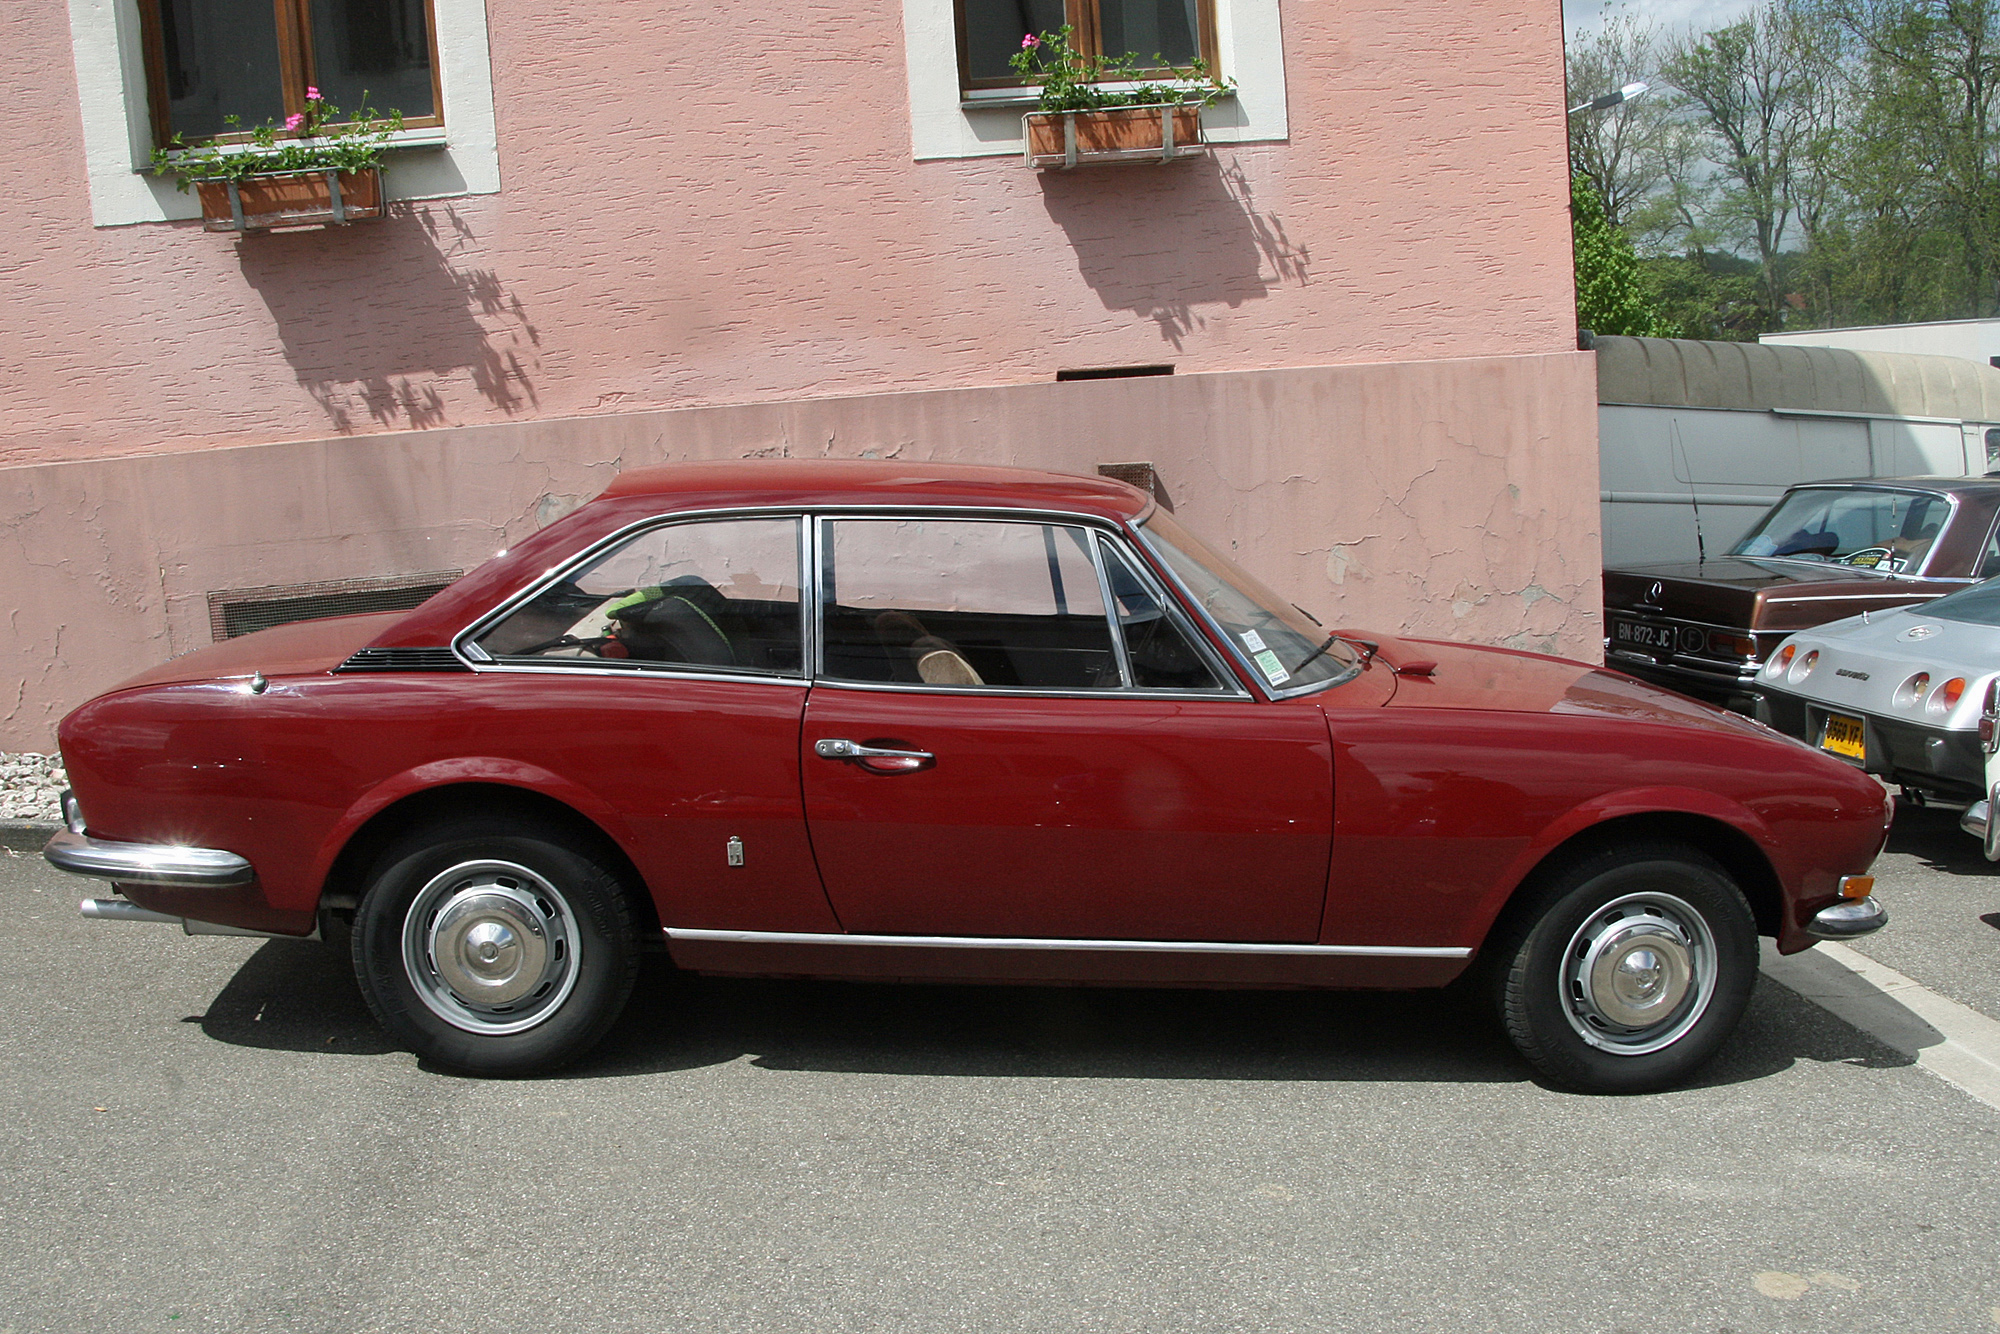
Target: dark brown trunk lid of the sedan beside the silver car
(1759,595)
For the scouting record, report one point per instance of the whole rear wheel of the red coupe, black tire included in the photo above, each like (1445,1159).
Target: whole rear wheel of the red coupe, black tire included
(493,947)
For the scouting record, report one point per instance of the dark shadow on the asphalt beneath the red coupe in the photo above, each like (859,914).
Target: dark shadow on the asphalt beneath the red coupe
(301,997)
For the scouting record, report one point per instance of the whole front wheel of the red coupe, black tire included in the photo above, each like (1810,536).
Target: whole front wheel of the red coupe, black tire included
(1627,971)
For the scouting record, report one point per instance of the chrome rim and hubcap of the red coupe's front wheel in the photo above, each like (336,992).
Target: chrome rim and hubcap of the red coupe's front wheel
(1639,973)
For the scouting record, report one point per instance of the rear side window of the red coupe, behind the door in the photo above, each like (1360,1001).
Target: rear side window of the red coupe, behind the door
(719,595)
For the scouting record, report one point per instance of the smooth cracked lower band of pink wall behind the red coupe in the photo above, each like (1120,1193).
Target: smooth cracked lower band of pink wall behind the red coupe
(1447,499)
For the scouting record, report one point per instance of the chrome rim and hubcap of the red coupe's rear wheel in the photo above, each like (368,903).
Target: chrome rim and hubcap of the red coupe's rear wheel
(491,947)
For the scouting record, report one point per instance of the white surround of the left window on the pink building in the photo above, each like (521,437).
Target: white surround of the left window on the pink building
(111,85)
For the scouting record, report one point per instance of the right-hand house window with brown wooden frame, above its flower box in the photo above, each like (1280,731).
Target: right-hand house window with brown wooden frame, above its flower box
(1161,33)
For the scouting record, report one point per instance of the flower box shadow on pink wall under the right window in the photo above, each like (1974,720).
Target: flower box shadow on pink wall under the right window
(1161,241)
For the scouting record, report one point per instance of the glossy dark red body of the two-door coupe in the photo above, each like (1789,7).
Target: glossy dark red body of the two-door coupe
(1397,811)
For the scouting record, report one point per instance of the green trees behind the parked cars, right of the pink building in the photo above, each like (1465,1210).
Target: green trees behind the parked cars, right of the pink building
(1817,163)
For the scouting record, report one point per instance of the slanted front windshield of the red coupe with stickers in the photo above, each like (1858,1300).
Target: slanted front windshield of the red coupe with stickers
(1281,643)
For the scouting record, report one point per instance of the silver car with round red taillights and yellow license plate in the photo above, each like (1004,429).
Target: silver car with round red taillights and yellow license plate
(1897,693)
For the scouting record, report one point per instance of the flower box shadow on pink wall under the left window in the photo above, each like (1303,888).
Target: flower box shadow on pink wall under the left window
(375,315)
